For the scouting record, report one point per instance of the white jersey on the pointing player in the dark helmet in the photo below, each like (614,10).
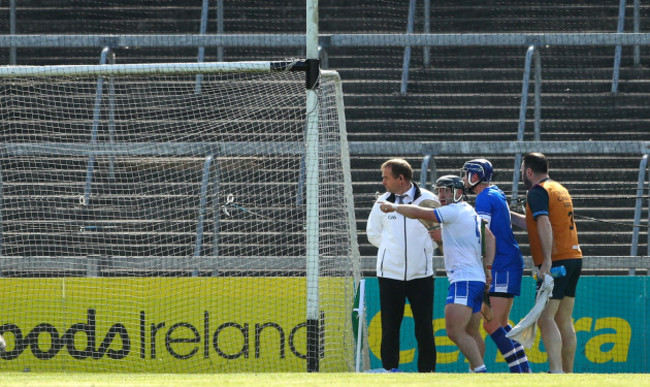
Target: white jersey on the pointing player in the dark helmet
(461,242)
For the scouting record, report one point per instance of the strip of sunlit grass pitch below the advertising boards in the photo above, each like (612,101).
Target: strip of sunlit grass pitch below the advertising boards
(321,379)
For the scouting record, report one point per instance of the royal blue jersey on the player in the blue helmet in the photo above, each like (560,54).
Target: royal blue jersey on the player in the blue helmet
(491,205)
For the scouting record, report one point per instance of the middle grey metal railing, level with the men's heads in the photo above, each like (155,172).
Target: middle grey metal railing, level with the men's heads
(428,151)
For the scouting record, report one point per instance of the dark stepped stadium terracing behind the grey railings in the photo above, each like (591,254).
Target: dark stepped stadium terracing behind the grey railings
(466,94)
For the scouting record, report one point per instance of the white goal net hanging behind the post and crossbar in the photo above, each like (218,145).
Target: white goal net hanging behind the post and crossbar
(153,218)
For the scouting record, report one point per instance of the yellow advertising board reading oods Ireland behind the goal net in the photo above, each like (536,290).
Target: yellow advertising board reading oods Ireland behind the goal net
(162,324)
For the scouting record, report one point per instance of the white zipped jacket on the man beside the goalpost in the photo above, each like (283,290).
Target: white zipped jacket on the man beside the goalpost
(405,247)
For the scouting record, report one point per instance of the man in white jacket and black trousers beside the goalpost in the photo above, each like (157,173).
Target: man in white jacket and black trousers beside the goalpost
(404,266)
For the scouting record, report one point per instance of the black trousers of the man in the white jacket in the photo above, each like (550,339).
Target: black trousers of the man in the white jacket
(392,298)
